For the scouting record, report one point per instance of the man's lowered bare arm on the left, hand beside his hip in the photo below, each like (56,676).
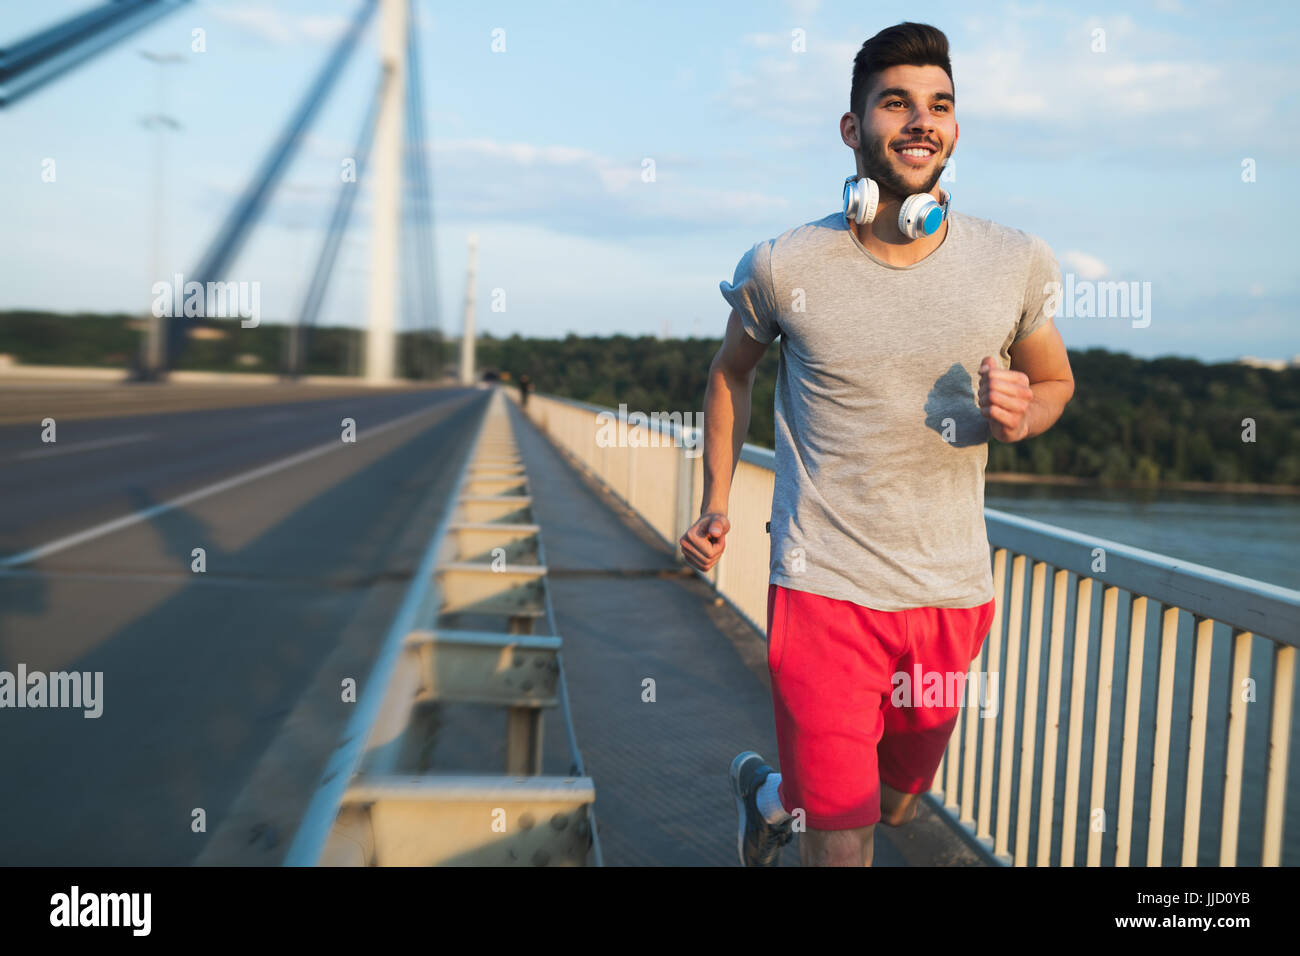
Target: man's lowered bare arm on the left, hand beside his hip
(727,409)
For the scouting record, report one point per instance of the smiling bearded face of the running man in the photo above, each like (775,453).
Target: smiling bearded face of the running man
(909,129)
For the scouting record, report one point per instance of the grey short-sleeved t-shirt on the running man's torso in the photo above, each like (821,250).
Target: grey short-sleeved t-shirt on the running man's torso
(881,445)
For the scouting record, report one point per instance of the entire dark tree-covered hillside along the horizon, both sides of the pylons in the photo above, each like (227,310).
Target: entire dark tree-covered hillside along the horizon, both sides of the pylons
(1130,421)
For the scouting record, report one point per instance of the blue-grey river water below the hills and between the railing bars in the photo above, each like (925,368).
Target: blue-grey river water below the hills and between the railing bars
(1251,537)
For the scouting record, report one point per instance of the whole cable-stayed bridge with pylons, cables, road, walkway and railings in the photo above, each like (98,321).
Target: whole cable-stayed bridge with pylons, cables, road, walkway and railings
(418,621)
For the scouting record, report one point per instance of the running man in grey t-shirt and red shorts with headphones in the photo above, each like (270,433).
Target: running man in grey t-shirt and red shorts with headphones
(902,352)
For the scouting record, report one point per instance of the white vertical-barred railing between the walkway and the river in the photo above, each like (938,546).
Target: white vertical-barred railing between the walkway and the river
(1011,780)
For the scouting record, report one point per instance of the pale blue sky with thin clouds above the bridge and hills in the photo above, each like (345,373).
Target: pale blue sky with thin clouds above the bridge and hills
(1128,162)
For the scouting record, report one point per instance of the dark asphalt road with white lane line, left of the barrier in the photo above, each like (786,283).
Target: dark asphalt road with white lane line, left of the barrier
(306,564)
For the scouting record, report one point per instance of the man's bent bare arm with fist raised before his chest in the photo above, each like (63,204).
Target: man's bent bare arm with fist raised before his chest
(1028,399)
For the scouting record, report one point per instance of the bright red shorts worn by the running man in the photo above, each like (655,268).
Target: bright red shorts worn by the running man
(842,690)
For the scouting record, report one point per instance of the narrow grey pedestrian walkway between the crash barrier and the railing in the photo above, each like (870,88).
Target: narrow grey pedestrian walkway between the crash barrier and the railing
(666,685)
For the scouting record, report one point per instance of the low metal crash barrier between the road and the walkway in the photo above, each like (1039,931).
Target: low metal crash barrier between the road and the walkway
(476,628)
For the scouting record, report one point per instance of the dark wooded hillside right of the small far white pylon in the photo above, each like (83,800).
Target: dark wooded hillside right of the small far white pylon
(1130,421)
